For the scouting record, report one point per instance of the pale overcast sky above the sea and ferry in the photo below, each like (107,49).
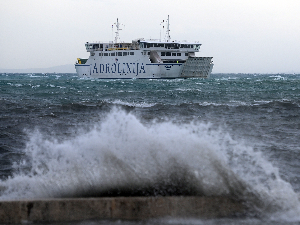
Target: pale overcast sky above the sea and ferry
(243,36)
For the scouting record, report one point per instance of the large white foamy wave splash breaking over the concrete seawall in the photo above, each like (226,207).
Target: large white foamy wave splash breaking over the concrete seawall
(122,153)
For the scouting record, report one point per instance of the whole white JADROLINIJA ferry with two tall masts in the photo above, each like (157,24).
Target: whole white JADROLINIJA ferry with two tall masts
(150,59)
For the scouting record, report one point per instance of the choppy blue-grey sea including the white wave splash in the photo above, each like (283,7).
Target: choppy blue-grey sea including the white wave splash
(233,135)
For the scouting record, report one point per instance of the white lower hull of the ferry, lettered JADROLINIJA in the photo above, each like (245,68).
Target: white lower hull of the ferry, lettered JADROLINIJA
(141,67)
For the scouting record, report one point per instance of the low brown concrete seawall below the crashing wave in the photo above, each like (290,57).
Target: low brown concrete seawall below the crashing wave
(127,208)
